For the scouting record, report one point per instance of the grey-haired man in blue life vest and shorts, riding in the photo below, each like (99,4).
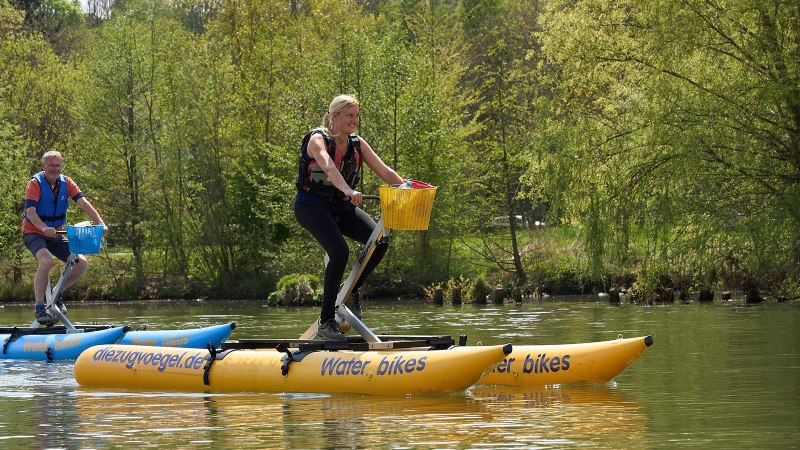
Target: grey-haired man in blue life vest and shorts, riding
(46,201)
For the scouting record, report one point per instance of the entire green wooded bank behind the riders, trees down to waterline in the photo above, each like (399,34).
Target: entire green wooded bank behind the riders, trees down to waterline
(577,146)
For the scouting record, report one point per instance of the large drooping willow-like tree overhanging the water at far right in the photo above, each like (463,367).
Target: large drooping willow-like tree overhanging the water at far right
(707,164)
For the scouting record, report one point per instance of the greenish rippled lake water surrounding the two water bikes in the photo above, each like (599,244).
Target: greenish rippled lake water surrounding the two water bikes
(725,375)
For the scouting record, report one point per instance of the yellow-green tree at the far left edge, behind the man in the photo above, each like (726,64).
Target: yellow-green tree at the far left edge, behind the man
(34,92)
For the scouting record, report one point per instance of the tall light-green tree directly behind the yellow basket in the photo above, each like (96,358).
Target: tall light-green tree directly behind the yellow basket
(435,129)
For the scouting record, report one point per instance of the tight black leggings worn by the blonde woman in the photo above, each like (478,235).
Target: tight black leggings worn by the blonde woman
(329,229)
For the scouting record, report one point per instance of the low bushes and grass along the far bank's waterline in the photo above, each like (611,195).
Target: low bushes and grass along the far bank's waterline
(108,279)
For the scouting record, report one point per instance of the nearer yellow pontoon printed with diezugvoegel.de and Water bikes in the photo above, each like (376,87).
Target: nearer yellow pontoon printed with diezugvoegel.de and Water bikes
(377,372)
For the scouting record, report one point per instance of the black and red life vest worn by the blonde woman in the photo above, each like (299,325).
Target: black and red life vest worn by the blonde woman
(311,178)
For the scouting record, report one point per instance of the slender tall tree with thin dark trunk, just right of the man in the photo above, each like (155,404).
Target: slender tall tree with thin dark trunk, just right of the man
(117,110)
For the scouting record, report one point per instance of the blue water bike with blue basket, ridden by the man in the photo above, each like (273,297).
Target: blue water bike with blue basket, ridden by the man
(50,342)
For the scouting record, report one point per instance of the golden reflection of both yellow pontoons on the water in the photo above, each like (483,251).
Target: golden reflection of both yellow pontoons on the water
(481,417)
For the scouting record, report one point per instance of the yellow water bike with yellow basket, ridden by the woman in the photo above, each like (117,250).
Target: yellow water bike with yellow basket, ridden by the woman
(368,363)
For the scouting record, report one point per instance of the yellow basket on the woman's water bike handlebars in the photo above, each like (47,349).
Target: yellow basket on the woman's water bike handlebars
(407,207)
